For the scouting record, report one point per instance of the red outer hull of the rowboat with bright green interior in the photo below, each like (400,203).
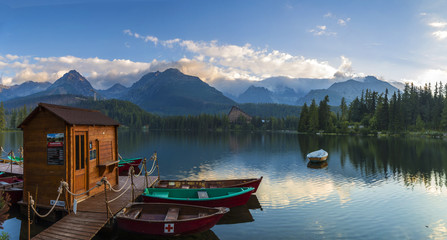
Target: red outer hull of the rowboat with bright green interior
(229,202)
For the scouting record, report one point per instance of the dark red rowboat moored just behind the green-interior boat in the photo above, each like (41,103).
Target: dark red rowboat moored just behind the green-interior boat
(187,184)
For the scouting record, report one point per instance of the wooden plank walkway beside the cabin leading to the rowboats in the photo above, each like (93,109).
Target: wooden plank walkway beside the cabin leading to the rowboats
(91,214)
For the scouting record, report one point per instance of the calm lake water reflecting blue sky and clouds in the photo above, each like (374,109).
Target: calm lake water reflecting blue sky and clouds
(371,188)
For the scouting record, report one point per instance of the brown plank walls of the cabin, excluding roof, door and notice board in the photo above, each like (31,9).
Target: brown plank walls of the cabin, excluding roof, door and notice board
(44,178)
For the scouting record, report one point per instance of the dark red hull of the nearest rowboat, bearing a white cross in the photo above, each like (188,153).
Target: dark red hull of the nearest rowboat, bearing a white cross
(170,228)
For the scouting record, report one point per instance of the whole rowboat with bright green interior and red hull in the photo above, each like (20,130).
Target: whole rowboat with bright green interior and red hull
(207,197)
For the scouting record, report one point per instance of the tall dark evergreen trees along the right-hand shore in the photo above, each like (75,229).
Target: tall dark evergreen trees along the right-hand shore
(413,109)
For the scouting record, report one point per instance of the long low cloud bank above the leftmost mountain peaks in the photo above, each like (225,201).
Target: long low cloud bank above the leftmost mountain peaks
(102,73)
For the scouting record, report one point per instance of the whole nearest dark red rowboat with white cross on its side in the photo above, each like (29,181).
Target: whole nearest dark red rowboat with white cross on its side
(168,219)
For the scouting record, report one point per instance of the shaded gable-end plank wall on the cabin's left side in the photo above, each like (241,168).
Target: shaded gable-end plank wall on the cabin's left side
(38,175)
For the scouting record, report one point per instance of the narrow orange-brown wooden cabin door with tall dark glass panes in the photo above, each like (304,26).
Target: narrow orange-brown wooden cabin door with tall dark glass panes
(80,164)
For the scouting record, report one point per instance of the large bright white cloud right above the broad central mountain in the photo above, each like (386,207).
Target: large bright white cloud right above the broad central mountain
(243,62)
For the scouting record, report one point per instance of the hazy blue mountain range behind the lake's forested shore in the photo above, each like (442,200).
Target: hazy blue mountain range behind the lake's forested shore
(173,93)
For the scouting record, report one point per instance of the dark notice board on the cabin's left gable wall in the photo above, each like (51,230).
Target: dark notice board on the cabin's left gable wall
(55,149)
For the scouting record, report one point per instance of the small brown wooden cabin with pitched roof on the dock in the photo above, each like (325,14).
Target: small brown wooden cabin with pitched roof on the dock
(79,146)
